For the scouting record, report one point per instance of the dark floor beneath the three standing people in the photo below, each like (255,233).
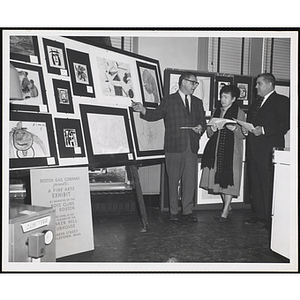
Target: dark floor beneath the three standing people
(121,238)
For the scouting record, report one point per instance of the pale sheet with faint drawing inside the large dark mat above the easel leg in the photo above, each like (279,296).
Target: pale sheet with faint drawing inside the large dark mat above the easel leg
(108,134)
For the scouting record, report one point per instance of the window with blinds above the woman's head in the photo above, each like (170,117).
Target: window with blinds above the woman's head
(229,55)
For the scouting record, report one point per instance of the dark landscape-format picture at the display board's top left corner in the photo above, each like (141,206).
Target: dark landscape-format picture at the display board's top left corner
(24,48)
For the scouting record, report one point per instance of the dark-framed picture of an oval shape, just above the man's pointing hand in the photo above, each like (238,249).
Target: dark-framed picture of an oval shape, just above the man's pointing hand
(150,84)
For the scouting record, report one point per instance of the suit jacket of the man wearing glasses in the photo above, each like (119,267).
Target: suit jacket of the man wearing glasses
(175,116)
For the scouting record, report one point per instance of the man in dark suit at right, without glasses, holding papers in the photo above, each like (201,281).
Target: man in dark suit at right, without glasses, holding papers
(270,115)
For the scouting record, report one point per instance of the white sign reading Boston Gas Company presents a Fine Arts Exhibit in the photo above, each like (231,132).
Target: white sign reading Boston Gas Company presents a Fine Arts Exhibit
(66,190)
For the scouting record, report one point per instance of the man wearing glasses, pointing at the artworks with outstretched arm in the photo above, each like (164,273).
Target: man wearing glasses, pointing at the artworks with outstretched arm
(184,118)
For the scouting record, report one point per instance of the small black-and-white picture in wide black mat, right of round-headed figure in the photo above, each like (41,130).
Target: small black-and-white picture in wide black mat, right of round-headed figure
(69,138)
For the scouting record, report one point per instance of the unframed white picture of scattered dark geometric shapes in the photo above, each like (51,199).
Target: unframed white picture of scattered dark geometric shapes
(115,78)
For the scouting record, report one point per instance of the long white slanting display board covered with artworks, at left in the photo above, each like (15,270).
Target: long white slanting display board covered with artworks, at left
(72,85)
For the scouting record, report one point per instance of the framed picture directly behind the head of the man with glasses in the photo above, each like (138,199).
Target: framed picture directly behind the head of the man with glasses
(204,91)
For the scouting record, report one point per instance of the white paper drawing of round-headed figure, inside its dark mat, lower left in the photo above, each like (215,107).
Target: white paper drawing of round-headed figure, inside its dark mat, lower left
(28,139)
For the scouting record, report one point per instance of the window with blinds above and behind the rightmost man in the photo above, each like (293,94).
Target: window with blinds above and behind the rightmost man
(276,57)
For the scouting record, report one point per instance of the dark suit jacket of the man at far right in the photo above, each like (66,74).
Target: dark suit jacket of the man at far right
(274,116)
